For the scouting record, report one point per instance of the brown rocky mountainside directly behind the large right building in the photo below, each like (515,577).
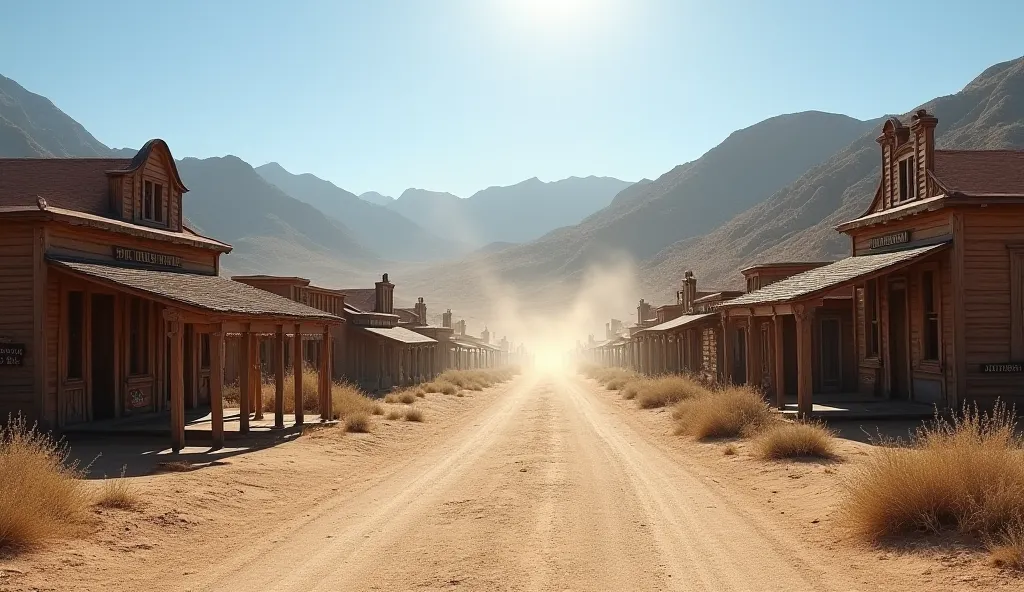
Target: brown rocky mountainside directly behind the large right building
(798,222)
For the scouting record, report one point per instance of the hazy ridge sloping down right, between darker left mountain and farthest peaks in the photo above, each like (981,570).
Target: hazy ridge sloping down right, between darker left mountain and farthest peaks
(385,232)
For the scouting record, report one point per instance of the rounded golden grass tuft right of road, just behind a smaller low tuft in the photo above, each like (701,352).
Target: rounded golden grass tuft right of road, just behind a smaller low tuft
(730,412)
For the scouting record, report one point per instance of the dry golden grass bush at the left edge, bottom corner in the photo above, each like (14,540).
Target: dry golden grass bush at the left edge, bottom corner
(42,496)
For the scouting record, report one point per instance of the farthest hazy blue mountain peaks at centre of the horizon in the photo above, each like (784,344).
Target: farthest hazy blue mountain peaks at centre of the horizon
(510,215)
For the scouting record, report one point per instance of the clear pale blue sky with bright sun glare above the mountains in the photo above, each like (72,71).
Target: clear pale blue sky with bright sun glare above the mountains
(461,95)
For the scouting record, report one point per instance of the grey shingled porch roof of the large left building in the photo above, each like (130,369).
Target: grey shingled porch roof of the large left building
(211,293)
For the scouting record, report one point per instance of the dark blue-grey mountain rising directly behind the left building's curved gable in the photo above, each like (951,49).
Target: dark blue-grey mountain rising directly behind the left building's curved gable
(272,232)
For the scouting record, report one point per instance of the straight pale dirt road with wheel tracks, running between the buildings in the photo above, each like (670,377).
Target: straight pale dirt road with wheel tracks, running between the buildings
(545,489)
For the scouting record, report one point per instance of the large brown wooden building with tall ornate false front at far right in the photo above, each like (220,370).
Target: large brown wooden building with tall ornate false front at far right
(930,308)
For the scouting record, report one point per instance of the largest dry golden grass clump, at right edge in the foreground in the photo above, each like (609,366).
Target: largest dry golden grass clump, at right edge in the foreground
(965,475)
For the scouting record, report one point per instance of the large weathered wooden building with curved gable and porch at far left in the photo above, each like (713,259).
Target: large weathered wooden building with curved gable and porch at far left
(112,306)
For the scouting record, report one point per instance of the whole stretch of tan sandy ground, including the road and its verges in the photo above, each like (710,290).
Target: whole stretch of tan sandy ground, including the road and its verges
(543,484)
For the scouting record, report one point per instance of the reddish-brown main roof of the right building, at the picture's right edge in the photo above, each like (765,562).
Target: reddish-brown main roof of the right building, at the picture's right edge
(982,173)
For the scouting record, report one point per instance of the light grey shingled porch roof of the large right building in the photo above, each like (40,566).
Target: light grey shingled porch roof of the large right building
(829,278)
